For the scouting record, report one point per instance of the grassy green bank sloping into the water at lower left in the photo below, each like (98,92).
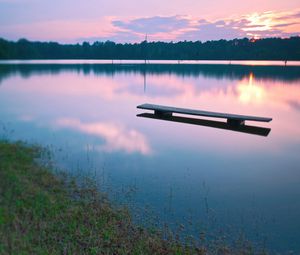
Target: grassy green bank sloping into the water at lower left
(42,213)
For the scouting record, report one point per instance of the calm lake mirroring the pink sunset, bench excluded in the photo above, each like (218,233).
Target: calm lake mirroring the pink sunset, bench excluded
(206,180)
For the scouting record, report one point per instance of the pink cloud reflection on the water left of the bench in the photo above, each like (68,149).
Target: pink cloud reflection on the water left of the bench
(116,137)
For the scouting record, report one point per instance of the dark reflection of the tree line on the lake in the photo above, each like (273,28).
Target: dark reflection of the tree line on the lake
(232,72)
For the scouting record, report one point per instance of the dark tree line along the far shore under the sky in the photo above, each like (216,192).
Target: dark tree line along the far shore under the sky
(237,49)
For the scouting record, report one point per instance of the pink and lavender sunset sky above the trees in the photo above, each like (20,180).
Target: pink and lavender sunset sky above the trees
(73,21)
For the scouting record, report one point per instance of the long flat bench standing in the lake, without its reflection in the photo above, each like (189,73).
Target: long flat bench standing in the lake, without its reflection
(232,119)
